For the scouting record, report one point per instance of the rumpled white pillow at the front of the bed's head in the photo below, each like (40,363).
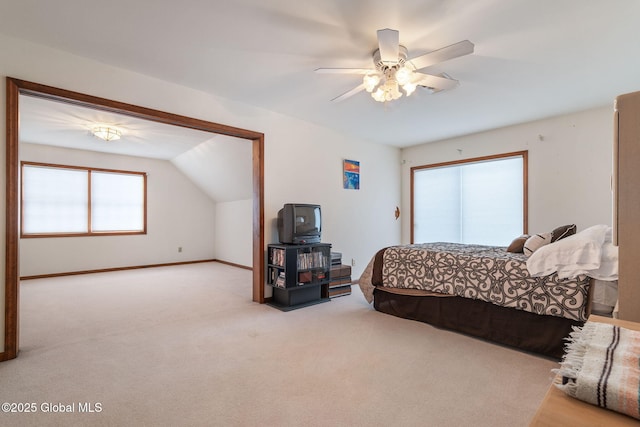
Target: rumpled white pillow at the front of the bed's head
(570,256)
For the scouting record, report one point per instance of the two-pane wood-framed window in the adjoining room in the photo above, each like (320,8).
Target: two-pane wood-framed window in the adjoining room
(70,201)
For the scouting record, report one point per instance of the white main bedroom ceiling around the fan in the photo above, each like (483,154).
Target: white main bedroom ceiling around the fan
(532,59)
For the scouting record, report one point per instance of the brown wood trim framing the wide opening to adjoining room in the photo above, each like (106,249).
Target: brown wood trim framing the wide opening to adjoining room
(15,88)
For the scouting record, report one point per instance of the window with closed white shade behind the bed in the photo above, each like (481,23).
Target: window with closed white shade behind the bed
(476,201)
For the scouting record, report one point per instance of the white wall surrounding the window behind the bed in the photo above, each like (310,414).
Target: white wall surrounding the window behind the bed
(570,166)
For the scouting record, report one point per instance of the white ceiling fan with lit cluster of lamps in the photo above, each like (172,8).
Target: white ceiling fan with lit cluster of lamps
(393,69)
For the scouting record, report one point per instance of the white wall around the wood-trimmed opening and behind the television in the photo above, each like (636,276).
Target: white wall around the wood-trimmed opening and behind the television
(303,162)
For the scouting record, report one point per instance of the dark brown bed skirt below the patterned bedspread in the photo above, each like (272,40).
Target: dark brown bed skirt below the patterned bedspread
(544,335)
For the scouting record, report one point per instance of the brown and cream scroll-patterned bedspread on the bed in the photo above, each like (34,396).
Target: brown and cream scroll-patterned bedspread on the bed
(486,273)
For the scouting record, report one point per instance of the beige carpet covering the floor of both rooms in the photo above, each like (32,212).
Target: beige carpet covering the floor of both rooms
(175,346)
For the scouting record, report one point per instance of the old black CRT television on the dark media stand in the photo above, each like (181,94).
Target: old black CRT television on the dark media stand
(299,223)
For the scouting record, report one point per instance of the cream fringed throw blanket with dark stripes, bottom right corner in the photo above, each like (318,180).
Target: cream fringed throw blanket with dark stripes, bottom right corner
(601,366)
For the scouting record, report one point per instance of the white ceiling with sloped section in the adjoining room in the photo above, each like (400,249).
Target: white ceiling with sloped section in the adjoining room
(219,165)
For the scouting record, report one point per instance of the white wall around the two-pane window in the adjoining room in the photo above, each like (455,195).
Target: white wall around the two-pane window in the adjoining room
(178,215)
